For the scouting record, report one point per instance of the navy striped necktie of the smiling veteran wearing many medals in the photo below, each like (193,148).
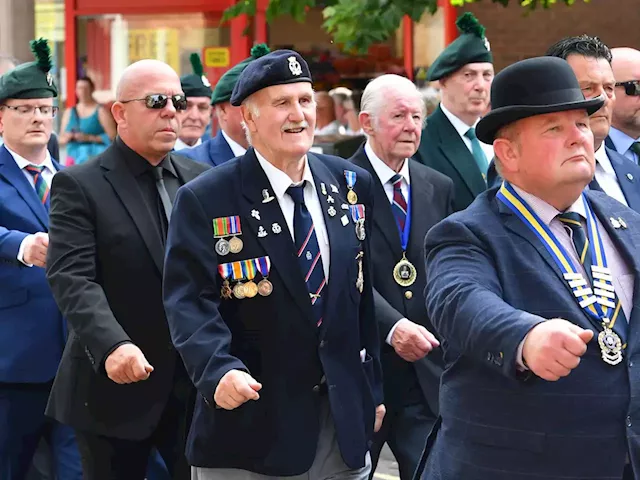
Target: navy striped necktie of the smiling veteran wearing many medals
(308,251)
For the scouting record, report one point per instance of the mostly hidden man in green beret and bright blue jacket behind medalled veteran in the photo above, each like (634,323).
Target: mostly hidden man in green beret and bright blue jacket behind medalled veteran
(230,141)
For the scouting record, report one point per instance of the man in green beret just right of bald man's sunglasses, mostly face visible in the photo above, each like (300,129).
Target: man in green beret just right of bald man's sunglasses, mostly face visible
(197,116)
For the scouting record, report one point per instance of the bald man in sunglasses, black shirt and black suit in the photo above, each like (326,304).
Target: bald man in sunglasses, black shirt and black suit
(121,385)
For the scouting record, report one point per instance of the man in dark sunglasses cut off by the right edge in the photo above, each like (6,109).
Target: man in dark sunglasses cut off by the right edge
(624,136)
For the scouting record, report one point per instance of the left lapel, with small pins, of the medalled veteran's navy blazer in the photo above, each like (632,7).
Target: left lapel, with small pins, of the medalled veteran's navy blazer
(279,247)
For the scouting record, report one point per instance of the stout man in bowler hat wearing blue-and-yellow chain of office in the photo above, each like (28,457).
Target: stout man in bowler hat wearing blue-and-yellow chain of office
(532,287)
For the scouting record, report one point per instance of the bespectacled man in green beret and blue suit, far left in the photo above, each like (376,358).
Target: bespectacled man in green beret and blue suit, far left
(33,329)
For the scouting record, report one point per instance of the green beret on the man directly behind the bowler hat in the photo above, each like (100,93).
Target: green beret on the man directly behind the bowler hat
(470,47)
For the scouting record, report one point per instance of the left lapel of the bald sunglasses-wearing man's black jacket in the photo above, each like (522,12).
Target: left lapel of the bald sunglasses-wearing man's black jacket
(126,188)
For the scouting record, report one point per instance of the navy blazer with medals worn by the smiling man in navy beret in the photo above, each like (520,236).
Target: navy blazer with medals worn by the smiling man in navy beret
(275,338)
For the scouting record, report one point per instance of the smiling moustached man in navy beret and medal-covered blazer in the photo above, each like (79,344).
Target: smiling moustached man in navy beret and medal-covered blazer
(269,297)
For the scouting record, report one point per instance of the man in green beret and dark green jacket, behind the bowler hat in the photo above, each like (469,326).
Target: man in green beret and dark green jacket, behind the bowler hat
(449,143)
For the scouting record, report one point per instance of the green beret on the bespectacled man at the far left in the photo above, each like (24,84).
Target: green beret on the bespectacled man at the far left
(33,79)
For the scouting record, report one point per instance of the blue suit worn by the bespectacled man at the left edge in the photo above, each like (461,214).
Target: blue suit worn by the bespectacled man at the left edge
(33,335)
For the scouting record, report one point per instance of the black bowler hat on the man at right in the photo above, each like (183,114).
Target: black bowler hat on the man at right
(533,87)
